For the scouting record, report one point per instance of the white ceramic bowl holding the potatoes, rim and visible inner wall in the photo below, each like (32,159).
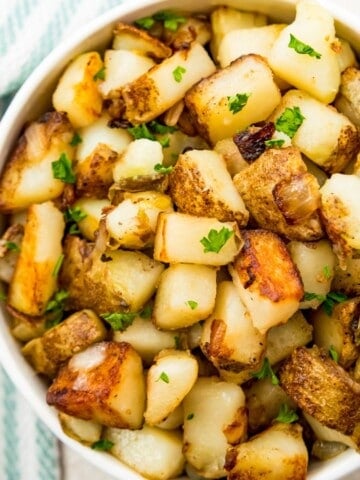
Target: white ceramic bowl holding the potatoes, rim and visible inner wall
(34,97)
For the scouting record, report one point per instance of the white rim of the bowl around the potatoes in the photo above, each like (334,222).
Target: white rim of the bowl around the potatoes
(22,375)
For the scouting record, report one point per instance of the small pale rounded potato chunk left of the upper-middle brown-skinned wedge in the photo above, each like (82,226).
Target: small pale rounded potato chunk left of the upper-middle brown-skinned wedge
(139,158)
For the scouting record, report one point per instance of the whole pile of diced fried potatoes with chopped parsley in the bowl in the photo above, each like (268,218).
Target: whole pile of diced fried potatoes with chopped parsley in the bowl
(181,258)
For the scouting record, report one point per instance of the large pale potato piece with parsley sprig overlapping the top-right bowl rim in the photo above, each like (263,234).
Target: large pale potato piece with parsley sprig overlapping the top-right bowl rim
(320,72)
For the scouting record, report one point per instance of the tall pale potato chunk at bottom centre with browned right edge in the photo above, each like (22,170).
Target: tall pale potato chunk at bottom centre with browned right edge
(206,442)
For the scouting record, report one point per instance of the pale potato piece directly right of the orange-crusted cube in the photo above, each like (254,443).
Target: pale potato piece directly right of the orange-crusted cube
(315,262)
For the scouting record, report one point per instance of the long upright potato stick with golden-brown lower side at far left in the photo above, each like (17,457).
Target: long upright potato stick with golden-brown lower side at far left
(34,282)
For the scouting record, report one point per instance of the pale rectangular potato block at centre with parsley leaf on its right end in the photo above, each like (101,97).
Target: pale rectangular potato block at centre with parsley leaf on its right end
(182,238)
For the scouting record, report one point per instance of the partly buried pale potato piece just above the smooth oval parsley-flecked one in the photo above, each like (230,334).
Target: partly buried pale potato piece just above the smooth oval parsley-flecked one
(147,340)
